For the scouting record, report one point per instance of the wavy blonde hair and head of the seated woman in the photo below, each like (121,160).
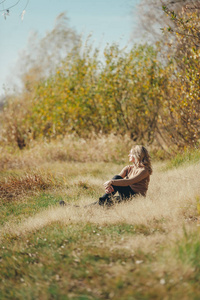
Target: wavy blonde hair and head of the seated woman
(142,157)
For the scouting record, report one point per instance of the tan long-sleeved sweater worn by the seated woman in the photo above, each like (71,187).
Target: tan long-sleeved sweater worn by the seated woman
(136,177)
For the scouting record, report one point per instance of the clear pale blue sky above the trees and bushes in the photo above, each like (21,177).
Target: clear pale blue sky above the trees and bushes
(107,20)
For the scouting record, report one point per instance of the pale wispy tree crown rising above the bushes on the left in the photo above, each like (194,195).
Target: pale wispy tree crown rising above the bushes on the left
(43,55)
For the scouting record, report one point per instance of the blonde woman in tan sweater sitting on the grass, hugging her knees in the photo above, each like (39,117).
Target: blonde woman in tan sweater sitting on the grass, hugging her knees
(132,180)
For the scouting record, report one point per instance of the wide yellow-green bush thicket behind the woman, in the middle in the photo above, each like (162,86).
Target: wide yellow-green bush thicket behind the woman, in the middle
(121,96)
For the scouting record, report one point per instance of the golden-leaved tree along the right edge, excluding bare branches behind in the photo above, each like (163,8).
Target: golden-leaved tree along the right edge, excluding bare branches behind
(182,102)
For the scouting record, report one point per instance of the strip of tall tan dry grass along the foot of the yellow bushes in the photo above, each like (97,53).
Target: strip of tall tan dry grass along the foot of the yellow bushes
(97,149)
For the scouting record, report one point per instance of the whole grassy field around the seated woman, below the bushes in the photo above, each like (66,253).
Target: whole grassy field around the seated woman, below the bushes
(145,249)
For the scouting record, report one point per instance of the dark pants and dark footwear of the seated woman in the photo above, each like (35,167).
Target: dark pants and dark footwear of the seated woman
(125,192)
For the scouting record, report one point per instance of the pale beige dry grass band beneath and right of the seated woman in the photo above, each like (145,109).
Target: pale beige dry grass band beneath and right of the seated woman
(170,204)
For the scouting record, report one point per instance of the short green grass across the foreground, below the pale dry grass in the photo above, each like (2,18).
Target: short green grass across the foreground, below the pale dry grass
(70,262)
